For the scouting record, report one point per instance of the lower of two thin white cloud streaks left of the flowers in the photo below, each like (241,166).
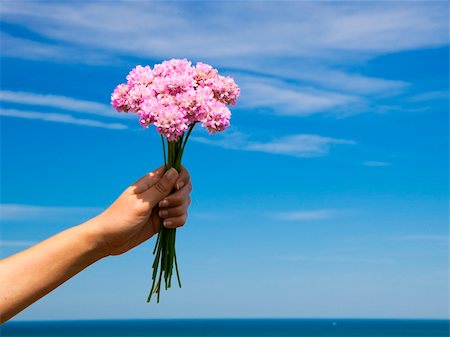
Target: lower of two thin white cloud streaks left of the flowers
(60,118)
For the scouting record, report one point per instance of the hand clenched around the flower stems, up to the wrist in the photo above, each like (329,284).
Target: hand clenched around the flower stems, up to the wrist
(137,214)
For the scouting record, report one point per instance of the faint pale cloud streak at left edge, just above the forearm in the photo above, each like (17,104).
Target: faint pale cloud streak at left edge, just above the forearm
(20,212)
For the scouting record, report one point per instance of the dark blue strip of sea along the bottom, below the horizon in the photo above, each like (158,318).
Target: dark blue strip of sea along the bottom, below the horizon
(230,327)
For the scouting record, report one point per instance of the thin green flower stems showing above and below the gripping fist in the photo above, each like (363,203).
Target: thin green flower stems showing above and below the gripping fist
(166,256)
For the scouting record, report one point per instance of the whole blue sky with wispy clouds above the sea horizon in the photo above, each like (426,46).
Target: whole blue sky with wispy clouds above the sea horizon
(328,196)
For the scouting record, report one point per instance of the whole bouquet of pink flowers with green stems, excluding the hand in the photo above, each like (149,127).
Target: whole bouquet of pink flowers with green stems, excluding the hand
(175,96)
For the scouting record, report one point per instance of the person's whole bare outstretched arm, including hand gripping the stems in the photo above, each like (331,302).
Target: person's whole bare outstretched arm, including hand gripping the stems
(131,220)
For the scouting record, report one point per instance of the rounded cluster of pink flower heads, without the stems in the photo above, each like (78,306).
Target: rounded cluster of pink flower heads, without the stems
(175,95)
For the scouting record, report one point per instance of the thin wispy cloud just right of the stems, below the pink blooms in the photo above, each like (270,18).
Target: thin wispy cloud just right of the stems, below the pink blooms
(299,145)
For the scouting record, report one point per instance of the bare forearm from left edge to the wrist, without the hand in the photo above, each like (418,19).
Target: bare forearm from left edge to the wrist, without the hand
(33,273)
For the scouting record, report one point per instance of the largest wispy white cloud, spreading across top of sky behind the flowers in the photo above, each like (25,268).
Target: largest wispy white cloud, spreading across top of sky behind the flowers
(314,50)
